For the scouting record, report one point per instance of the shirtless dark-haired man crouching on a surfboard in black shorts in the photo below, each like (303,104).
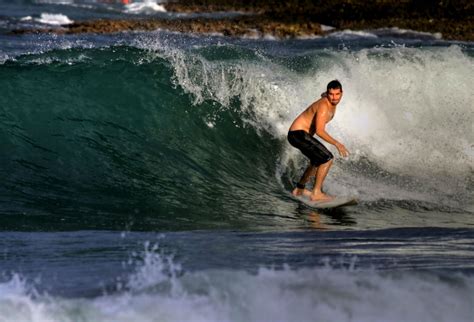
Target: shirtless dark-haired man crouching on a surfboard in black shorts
(312,121)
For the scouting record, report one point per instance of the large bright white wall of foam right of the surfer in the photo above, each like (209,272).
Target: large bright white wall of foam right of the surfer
(409,109)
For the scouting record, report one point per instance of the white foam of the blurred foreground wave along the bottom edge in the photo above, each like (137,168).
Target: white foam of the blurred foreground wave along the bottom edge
(310,294)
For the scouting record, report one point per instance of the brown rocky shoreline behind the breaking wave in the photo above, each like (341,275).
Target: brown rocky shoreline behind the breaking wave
(454,20)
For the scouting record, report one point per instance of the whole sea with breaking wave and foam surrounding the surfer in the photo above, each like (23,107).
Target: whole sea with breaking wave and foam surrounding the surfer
(146,176)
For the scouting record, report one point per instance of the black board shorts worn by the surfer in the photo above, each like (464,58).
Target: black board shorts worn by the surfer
(310,147)
